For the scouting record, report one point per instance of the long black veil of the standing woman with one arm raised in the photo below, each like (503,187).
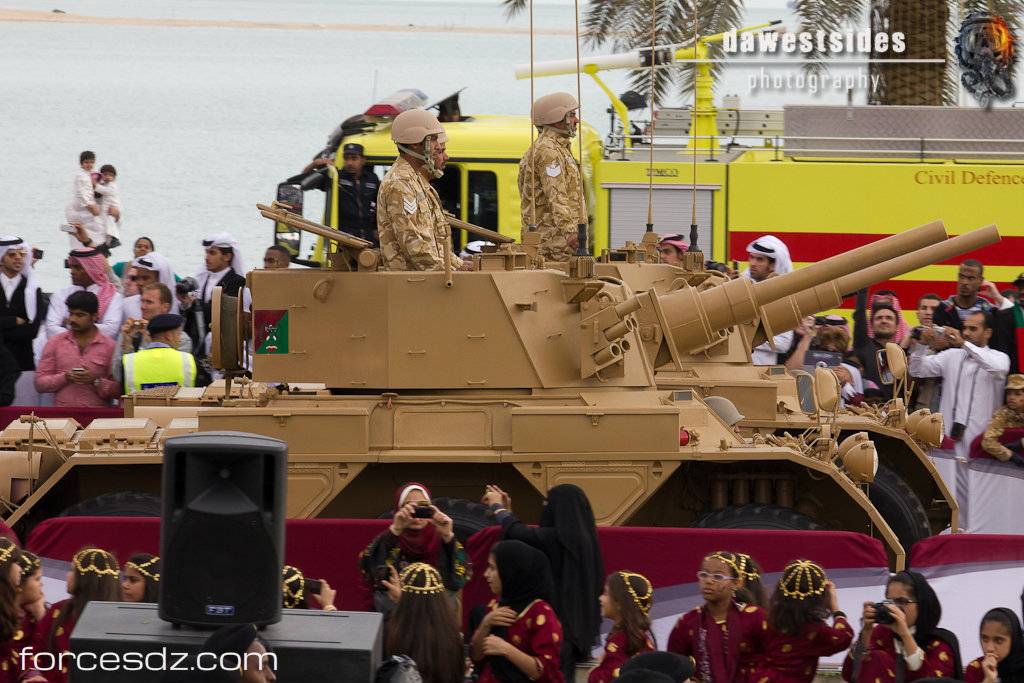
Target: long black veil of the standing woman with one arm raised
(579,570)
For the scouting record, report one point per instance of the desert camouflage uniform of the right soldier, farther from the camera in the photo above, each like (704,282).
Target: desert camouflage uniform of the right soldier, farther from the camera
(558,192)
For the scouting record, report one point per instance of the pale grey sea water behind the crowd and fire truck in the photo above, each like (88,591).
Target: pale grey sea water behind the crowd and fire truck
(203,123)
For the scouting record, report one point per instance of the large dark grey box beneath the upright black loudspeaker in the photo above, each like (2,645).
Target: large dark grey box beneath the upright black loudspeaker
(124,643)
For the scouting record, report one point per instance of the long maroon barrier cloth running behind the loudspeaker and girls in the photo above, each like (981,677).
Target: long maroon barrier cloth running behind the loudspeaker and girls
(329,549)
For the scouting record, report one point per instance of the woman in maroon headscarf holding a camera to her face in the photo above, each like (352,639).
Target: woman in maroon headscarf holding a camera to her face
(419,533)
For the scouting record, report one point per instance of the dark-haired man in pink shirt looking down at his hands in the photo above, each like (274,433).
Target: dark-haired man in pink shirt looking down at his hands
(76,364)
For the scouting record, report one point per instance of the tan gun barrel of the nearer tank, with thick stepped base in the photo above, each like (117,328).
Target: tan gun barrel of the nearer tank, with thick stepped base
(694,321)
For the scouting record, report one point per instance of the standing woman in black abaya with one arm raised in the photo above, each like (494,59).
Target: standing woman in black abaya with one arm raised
(568,536)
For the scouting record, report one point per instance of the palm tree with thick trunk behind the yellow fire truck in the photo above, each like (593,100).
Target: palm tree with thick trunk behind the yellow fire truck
(930,27)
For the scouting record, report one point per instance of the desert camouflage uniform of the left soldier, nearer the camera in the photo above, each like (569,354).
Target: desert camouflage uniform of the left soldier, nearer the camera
(411,224)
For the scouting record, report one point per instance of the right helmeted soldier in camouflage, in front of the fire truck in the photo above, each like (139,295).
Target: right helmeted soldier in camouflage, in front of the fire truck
(549,178)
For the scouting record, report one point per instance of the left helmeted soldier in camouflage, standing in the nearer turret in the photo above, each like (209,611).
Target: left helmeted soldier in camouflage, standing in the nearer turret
(414,233)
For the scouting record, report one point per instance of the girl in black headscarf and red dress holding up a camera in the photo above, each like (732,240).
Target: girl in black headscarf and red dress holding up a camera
(911,646)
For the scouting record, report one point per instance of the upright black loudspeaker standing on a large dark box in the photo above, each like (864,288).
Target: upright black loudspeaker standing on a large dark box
(223,533)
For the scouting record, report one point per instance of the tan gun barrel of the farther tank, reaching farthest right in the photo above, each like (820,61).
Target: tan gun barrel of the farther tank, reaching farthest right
(786,314)
